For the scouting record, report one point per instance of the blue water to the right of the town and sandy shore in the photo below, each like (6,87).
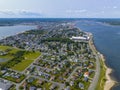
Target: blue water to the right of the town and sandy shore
(107,41)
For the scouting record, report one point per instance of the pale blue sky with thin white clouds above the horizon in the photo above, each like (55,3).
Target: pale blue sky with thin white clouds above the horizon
(59,8)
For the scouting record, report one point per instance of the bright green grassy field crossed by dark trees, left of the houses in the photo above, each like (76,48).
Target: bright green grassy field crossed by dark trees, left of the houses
(17,59)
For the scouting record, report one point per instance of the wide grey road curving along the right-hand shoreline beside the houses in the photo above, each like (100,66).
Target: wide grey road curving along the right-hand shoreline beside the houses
(97,73)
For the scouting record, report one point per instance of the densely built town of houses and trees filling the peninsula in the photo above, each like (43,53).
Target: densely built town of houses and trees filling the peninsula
(55,56)
